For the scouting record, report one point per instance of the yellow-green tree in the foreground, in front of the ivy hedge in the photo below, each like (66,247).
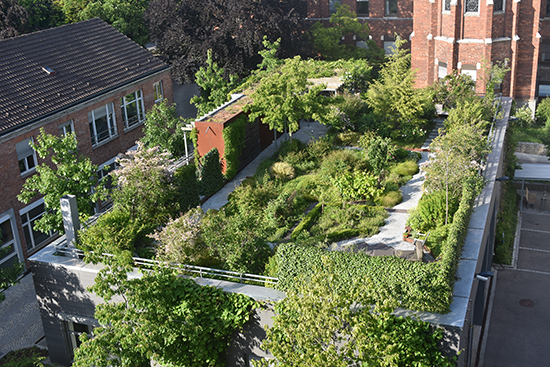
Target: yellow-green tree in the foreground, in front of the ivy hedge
(322,325)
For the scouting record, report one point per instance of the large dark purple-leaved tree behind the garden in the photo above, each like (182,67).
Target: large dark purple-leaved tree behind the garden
(185,30)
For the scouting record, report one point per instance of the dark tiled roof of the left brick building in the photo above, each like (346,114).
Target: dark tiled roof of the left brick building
(88,58)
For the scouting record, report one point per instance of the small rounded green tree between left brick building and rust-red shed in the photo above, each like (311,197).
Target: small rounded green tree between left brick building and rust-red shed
(164,129)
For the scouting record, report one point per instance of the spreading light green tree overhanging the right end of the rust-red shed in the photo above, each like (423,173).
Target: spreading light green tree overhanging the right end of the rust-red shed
(285,97)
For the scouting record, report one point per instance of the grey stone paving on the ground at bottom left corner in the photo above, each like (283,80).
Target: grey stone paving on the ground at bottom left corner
(20,323)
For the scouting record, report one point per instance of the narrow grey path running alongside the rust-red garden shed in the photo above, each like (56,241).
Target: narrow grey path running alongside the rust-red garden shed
(307,132)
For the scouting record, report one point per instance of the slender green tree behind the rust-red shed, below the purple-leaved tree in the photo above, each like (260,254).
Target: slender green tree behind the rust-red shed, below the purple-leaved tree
(214,88)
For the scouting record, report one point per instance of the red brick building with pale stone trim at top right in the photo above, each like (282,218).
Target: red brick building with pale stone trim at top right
(447,35)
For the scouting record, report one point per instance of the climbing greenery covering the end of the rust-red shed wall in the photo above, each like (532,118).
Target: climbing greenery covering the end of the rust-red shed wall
(233,139)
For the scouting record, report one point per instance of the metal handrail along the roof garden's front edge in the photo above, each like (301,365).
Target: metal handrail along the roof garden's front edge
(201,271)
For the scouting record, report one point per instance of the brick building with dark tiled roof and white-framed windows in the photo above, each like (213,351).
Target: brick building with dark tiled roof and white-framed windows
(85,78)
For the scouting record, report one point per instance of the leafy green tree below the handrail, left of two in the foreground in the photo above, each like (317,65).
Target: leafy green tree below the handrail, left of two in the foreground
(161,317)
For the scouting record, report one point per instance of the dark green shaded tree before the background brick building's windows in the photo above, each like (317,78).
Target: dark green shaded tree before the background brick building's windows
(328,41)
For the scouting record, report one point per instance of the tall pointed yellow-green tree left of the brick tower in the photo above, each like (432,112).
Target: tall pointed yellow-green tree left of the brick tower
(393,98)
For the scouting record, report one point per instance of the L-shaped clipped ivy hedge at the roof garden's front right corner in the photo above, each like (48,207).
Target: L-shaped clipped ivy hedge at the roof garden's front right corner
(416,285)
